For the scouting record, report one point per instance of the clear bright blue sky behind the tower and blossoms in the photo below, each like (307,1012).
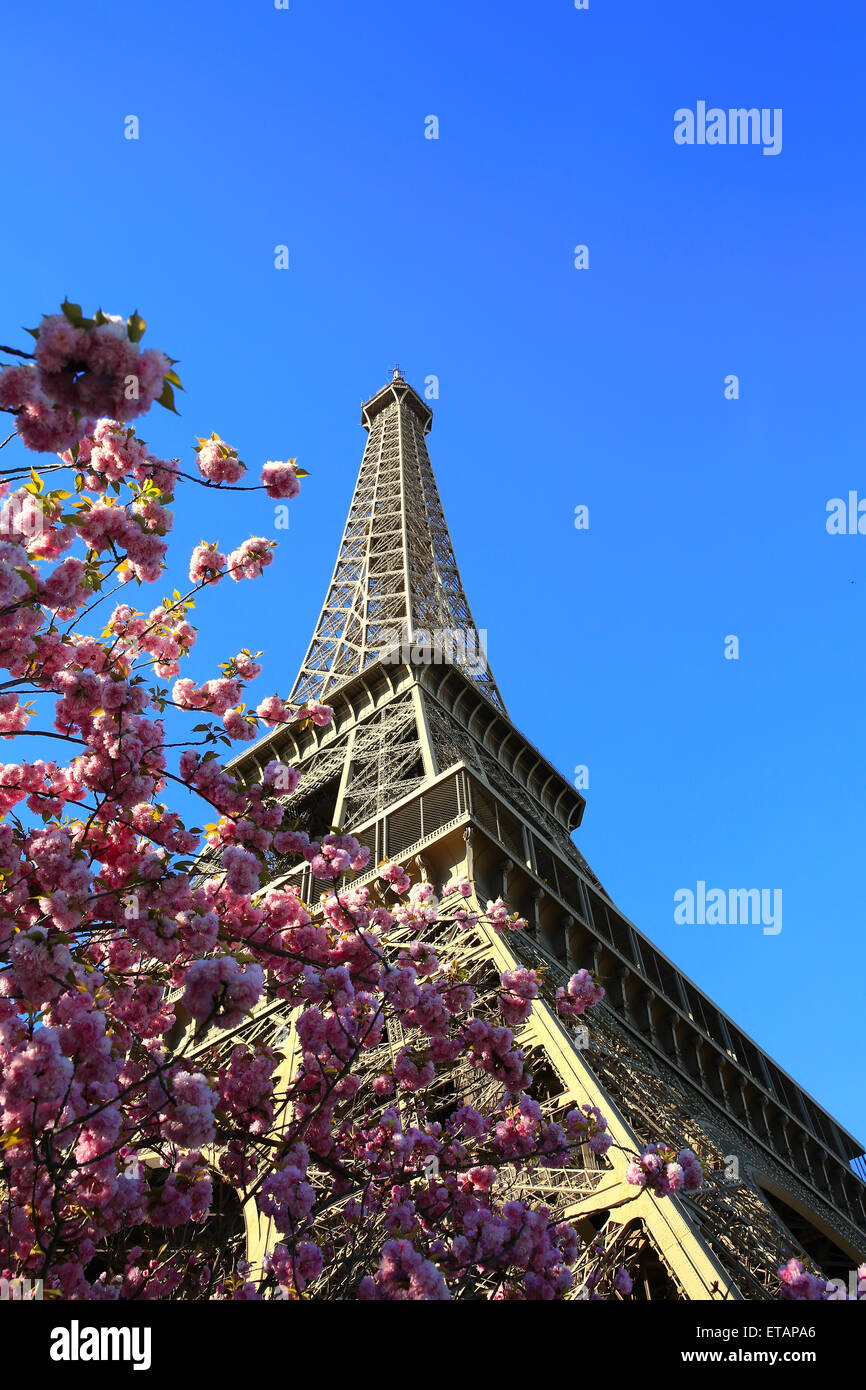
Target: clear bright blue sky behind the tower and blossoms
(559,387)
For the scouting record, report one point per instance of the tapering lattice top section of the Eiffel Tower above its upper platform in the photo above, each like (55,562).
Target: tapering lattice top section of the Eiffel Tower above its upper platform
(397,582)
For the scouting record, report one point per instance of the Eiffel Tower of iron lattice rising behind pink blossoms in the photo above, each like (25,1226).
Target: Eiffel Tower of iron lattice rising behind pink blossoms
(423,765)
